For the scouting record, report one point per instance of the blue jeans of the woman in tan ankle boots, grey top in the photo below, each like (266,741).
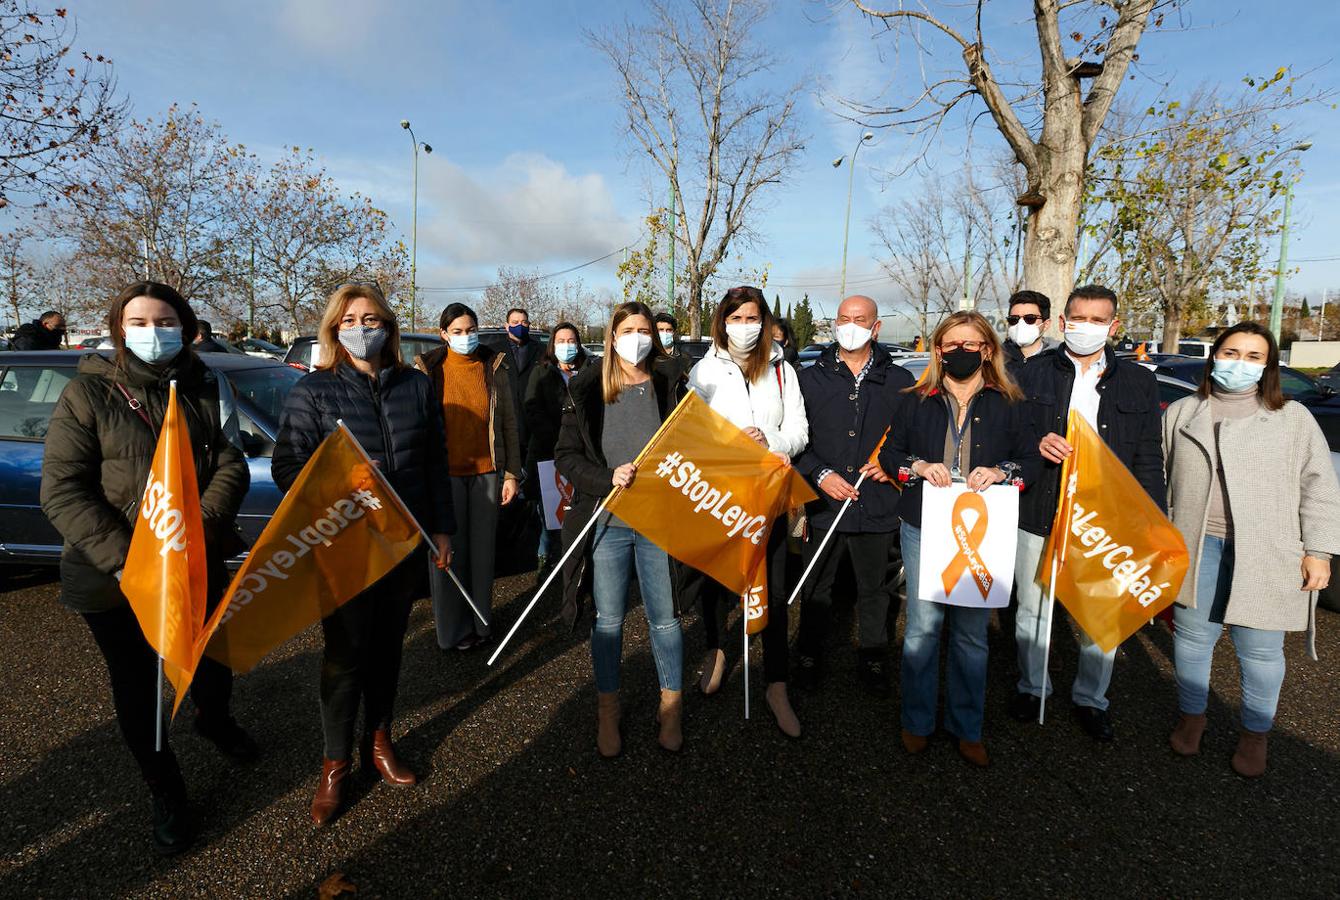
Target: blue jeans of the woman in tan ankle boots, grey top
(614,554)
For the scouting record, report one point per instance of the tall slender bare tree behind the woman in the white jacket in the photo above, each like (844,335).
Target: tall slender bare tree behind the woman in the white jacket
(700,101)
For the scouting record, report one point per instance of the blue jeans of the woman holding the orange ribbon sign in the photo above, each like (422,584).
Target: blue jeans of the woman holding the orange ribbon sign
(965,694)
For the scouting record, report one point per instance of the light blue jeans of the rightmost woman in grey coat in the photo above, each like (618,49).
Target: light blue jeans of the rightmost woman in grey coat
(1260,653)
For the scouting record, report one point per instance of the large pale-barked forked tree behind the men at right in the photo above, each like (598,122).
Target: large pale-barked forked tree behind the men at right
(1070,117)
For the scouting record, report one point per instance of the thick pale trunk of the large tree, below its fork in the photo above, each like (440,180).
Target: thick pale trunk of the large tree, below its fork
(1050,251)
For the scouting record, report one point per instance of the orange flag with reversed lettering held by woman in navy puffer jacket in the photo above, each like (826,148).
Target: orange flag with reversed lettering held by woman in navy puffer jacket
(338,531)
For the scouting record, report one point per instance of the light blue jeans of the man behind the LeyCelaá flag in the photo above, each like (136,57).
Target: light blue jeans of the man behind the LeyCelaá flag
(1095,669)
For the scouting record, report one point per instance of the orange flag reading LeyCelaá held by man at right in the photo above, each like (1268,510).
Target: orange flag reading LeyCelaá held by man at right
(1120,560)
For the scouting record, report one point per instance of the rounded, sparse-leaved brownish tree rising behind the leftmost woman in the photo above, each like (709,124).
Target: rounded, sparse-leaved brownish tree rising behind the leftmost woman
(160,202)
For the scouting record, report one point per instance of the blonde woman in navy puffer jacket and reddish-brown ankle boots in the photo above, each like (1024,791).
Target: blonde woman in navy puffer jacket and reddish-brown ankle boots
(397,417)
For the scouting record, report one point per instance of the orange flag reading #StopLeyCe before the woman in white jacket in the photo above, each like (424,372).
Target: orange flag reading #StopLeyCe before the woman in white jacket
(708,498)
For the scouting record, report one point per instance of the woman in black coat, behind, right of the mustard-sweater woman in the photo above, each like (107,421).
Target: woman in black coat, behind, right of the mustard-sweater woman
(545,400)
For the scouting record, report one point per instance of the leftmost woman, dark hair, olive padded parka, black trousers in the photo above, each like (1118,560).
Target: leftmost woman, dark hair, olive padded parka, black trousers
(100,448)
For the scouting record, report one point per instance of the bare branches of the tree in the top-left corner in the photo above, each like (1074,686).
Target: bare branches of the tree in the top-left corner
(54,106)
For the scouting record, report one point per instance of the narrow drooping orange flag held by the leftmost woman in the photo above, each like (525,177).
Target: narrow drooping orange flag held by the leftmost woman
(165,575)
